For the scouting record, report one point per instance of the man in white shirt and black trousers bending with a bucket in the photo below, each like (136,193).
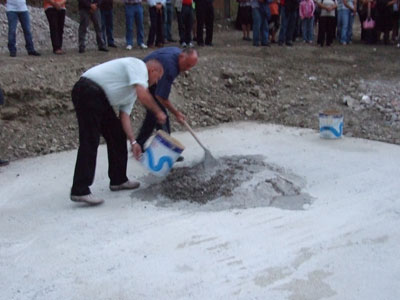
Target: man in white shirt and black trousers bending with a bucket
(115,84)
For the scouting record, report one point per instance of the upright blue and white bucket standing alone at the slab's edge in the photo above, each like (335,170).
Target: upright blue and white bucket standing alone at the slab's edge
(330,124)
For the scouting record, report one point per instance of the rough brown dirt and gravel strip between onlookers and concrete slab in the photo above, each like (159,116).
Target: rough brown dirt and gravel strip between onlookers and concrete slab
(232,81)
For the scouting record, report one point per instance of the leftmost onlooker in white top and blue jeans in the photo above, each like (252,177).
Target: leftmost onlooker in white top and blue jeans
(17,10)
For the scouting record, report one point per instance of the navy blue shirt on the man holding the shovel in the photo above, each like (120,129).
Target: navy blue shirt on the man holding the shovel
(169,59)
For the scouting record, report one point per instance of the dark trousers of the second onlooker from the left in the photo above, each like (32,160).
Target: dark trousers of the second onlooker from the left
(56,18)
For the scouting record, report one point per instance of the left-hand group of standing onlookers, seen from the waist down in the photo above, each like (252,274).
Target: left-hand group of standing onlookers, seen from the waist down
(192,17)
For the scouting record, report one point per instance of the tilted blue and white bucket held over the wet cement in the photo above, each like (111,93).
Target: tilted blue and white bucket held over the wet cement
(161,154)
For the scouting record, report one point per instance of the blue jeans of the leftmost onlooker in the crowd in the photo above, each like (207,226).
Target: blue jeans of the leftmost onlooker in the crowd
(23,17)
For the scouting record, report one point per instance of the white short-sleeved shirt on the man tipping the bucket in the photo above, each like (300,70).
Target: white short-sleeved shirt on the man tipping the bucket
(117,78)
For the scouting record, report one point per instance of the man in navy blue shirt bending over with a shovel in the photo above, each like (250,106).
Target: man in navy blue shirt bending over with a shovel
(174,60)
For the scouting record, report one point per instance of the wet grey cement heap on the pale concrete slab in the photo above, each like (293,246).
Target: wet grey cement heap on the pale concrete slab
(233,182)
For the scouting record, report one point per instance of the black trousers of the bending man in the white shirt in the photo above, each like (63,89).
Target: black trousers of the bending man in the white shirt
(96,117)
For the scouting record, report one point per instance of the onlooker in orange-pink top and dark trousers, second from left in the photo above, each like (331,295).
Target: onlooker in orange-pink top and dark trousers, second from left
(55,13)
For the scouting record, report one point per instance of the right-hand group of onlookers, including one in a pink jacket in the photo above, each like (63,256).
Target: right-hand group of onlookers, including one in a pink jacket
(334,19)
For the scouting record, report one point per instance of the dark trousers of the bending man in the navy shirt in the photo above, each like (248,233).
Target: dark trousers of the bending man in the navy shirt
(150,122)
